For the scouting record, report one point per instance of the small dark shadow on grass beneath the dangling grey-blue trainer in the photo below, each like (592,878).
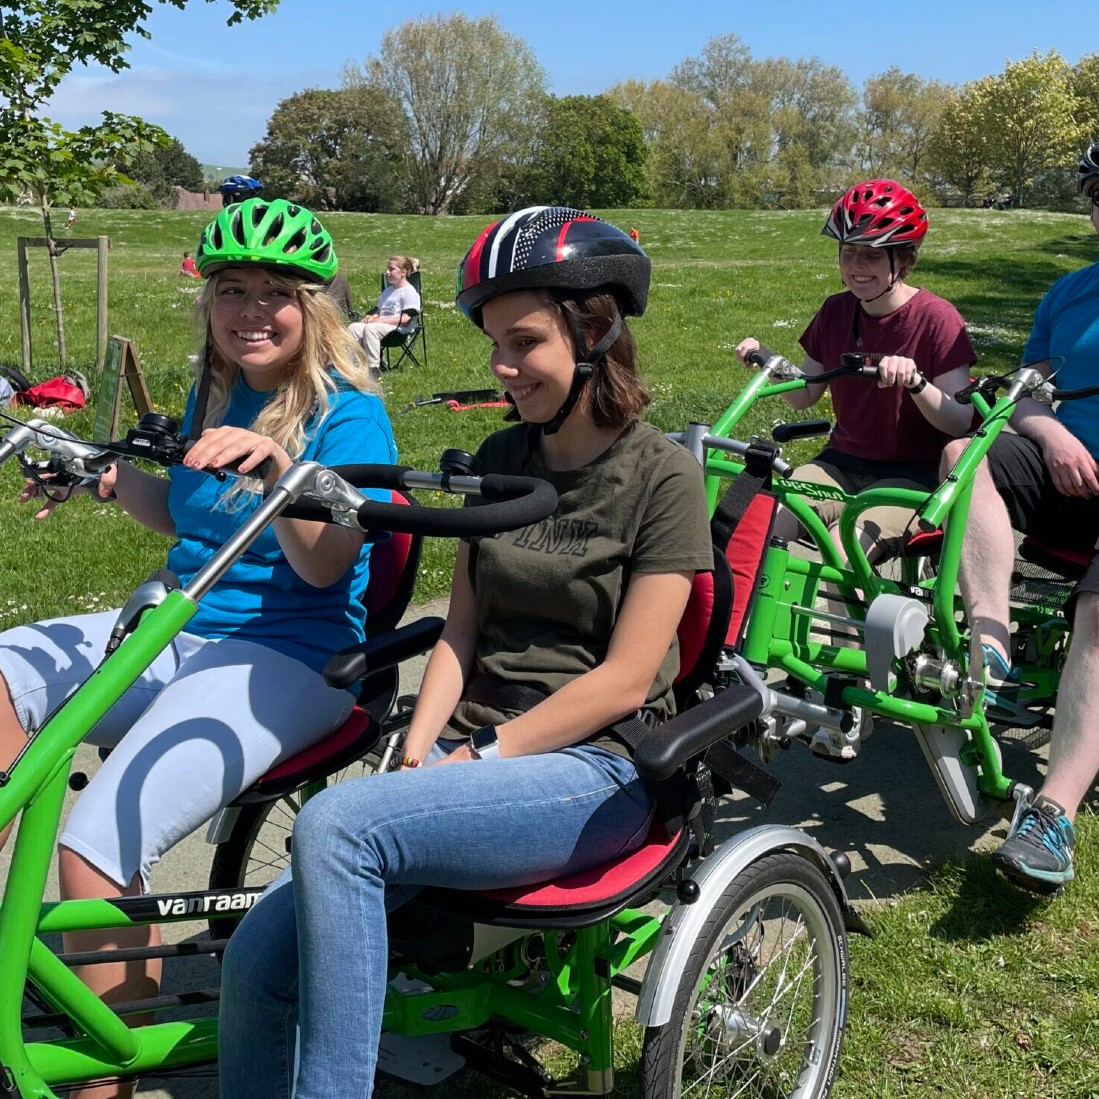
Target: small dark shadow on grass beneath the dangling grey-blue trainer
(983,904)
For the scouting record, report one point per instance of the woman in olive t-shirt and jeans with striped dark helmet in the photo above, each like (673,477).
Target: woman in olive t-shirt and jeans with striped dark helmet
(593,632)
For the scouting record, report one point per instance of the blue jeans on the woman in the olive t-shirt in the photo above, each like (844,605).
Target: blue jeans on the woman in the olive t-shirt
(321,941)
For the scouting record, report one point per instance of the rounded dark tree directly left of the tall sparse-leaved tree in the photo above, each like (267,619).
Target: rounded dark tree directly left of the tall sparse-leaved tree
(335,150)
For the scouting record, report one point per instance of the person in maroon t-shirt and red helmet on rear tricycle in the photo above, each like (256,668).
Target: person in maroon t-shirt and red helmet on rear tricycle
(892,434)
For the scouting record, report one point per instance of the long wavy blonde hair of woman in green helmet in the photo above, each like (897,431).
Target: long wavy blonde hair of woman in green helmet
(328,354)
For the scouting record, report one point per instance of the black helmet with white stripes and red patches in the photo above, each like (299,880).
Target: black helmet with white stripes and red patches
(553,248)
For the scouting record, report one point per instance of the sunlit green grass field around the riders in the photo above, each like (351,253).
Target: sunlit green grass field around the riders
(970,990)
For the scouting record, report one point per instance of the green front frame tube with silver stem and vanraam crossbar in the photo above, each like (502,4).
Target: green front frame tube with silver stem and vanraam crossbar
(36,784)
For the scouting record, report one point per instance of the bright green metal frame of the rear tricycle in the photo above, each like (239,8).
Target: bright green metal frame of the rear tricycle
(784,620)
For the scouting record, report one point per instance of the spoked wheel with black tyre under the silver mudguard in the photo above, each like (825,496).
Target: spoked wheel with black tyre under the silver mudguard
(740,1024)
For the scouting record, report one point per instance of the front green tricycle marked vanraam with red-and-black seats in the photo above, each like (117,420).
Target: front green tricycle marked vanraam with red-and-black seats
(746,989)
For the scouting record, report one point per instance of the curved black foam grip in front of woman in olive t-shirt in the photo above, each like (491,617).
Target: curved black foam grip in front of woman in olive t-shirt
(514,503)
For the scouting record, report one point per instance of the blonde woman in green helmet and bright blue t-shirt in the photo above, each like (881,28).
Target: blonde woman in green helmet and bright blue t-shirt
(241,690)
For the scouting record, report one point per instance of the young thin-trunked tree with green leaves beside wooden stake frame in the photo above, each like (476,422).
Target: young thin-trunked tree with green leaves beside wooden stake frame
(42,42)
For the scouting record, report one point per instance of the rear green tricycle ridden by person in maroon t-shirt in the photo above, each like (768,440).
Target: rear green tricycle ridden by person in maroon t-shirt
(839,642)
